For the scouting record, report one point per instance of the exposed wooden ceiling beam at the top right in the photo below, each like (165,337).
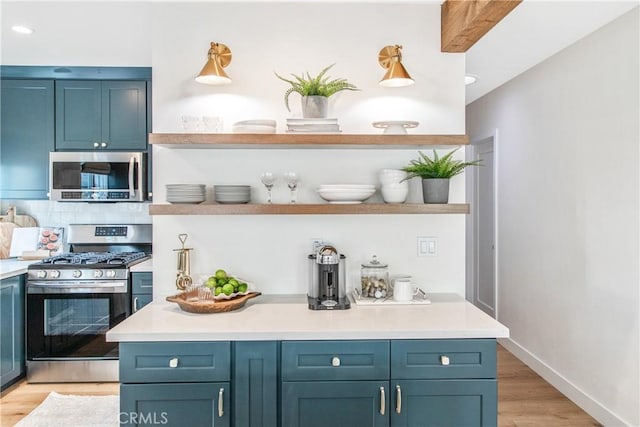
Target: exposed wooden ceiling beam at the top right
(464,22)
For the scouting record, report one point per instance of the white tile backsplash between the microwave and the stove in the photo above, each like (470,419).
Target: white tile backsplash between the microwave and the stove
(61,214)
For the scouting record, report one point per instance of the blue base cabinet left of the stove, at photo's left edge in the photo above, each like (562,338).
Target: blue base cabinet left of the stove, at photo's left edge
(12,341)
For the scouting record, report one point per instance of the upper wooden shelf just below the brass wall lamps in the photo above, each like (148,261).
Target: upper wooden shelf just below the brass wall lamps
(291,140)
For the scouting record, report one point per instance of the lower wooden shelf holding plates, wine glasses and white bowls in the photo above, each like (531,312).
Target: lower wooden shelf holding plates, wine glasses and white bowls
(307,209)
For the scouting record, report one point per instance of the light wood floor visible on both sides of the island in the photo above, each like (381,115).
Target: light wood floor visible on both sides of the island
(524,398)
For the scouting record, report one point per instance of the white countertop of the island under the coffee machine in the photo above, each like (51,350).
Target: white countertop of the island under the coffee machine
(277,317)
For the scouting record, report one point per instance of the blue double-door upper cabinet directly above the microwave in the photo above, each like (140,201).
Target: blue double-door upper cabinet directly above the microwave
(101,115)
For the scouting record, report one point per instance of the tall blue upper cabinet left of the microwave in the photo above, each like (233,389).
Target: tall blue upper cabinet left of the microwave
(27,137)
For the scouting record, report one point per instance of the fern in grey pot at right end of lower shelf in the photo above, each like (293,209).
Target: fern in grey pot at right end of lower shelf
(435,173)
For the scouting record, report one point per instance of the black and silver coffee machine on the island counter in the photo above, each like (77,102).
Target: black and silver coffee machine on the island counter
(327,280)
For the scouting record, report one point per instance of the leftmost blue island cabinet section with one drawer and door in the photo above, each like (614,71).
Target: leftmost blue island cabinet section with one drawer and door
(175,384)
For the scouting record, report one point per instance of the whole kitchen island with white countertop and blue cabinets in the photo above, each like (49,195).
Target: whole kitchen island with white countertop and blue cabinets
(275,362)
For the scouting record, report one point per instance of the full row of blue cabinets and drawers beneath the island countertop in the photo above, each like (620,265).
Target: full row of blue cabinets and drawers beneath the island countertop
(350,383)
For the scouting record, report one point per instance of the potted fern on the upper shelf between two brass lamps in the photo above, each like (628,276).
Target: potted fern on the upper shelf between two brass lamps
(315,91)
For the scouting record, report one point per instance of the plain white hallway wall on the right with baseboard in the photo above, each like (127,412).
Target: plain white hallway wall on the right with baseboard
(568,217)
